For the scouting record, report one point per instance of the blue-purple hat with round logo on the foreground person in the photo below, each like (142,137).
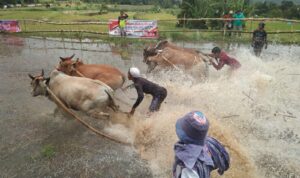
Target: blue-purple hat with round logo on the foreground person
(192,128)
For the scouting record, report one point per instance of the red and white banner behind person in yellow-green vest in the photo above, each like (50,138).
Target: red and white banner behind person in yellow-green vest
(135,28)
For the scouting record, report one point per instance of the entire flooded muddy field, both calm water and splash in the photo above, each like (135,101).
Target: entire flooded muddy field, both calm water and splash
(255,113)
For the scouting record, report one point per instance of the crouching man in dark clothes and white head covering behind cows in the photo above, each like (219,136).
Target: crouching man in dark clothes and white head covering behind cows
(144,86)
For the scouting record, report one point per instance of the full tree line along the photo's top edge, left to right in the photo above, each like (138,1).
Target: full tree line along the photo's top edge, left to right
(199,8)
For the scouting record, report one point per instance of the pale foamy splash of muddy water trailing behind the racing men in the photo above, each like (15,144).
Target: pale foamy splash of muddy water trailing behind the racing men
(255,113)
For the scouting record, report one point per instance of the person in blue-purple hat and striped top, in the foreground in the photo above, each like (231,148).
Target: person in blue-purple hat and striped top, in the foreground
(197,154)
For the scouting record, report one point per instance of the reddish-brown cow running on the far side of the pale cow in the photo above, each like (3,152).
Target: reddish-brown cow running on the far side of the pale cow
(105,73)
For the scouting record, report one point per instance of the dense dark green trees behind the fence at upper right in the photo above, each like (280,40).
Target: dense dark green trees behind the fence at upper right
(217,8)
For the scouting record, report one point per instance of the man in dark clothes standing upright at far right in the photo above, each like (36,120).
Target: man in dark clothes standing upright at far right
(259,39)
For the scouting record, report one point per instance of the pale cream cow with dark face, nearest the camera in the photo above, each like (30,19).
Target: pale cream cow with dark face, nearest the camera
(78,93)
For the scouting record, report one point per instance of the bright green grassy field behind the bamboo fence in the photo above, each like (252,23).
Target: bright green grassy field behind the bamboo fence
(70,14)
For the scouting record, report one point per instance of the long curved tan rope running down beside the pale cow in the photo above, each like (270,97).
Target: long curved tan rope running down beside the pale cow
(61,104)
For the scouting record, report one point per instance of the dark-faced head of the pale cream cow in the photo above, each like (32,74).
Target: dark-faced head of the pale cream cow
(39,84)
